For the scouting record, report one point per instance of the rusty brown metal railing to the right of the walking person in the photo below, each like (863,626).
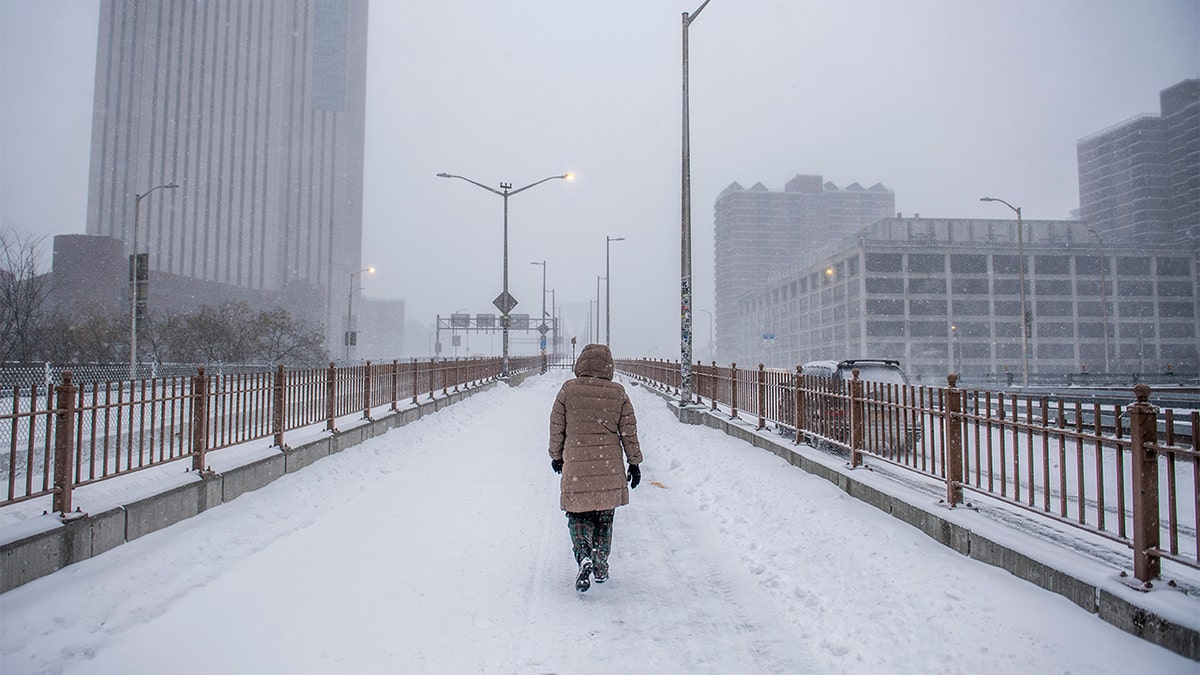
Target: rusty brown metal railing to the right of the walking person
(1102,469)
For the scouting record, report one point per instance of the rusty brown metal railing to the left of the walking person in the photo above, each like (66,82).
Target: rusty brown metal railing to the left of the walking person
(59,438)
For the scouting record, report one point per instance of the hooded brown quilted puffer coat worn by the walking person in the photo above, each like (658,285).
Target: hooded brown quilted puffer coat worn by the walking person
(591,426)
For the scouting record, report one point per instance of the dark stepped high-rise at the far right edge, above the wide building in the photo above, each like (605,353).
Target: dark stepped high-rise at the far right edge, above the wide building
(1139,181)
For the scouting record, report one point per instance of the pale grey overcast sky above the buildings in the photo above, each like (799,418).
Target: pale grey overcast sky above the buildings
(943,101)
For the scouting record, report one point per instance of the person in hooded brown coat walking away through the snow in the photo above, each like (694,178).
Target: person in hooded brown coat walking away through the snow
(591,426)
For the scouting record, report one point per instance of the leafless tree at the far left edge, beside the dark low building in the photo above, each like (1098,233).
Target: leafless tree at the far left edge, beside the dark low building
(22,294)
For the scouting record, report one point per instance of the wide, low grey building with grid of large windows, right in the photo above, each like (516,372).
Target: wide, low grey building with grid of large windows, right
(943,296)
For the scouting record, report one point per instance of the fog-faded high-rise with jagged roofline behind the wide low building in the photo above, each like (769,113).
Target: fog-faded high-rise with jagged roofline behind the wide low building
(760,234)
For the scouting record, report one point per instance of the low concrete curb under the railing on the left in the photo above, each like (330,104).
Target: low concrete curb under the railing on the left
(85,536)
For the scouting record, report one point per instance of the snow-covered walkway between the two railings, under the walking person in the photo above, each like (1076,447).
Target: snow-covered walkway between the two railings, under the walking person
(440,548)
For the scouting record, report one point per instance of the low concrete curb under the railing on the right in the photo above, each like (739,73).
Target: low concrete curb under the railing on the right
(1121,611)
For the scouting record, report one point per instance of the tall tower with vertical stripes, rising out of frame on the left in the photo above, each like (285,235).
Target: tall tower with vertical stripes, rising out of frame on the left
(257,112)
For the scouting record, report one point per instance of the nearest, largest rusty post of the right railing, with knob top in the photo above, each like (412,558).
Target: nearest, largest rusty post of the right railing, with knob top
(1144,434)
